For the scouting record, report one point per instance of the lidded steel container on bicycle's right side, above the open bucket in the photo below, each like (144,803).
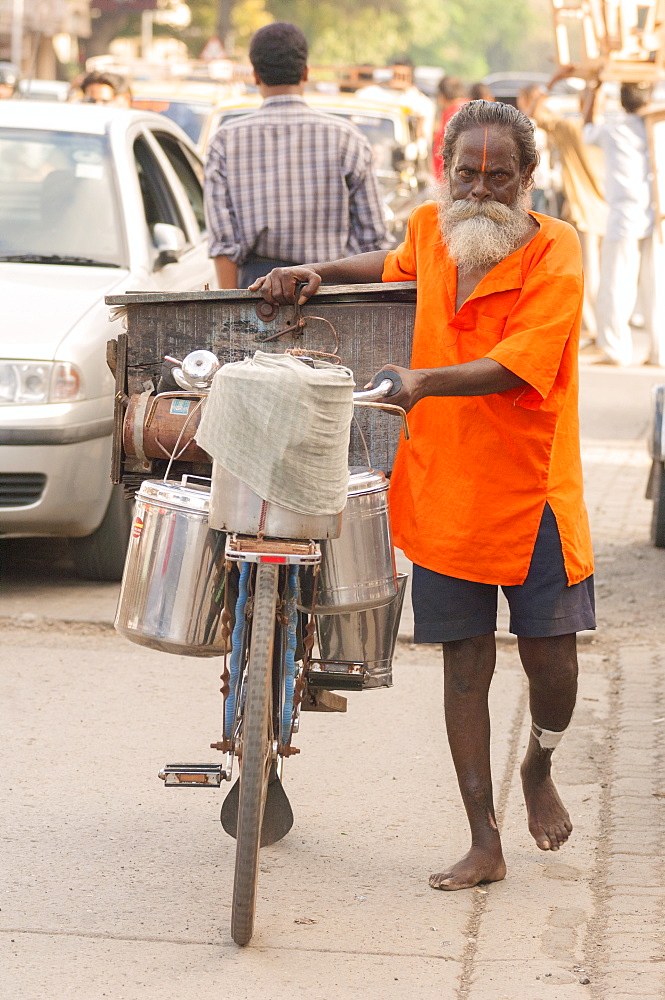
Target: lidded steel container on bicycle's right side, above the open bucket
(358,568)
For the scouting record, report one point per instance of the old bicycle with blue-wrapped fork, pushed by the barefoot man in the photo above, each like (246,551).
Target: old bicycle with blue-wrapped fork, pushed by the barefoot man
(269,675)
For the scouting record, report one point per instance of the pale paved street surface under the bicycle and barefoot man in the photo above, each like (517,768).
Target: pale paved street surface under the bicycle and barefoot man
(114,887)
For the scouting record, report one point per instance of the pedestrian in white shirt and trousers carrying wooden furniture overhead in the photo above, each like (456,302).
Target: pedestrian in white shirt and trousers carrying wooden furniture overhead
(630,255)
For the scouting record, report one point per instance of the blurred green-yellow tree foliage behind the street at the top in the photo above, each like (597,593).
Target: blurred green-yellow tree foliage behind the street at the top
(465,37)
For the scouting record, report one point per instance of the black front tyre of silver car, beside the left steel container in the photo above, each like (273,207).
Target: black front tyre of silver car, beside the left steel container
(101,555)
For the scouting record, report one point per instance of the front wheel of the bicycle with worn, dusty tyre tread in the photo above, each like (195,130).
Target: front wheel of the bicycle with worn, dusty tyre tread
(257,737)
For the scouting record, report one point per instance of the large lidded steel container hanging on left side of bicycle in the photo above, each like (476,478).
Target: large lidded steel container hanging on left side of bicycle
(171,594)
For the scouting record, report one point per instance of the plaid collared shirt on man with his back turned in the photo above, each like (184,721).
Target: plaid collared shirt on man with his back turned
(292,183)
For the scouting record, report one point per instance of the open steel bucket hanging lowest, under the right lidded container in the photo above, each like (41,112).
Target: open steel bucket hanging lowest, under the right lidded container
(367,637)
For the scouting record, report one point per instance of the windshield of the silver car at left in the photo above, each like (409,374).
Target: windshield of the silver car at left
(57,199)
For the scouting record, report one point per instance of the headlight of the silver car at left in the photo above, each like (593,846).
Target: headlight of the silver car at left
(31,382)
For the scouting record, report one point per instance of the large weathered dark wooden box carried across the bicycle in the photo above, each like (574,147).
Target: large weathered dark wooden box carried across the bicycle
(374,325)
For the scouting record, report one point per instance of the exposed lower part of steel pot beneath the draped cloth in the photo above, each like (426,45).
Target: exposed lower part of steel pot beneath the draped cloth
(234,507)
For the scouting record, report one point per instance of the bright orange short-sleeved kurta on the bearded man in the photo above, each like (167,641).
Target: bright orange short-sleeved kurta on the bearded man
(468,490)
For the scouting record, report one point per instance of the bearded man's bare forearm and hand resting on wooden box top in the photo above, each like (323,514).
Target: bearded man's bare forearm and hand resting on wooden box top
(279,286)
